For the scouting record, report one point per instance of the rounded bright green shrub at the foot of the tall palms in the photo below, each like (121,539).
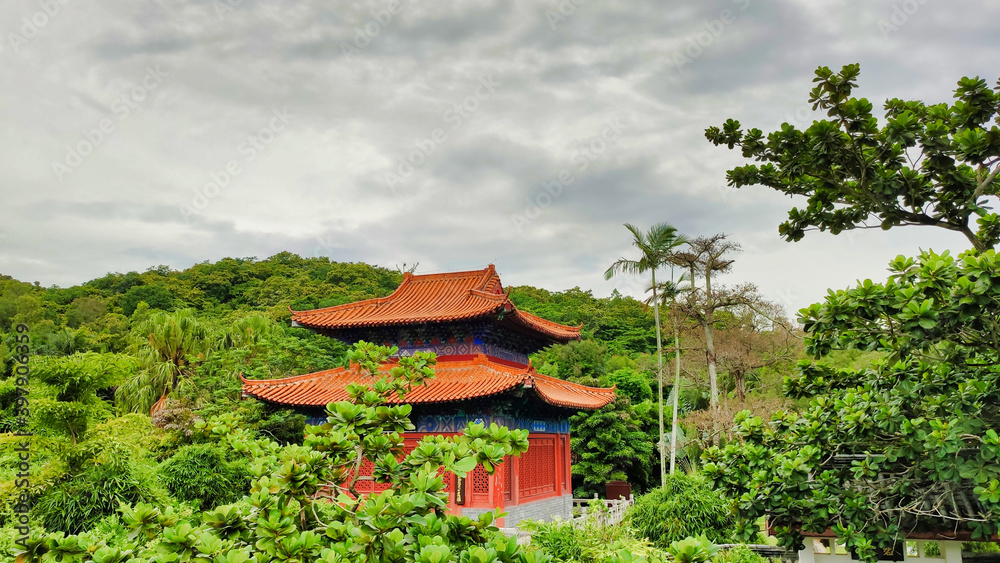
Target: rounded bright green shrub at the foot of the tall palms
(686,507)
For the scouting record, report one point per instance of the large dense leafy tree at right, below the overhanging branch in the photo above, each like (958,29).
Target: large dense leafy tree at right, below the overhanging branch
(910,441)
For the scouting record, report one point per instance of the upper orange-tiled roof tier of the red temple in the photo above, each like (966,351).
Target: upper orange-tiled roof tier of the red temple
(436,298)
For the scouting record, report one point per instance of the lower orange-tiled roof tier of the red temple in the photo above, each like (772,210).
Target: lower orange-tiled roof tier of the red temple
(456,378)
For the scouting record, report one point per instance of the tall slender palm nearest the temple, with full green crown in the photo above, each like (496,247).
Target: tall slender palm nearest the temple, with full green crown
(655,246)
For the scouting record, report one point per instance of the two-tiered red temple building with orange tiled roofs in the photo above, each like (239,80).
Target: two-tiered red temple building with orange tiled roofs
(483,374)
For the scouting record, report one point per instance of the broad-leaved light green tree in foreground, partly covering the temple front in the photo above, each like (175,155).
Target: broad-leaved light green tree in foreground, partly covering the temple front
(289,519)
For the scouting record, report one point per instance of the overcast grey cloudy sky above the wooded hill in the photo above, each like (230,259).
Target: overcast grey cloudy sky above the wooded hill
(137,133)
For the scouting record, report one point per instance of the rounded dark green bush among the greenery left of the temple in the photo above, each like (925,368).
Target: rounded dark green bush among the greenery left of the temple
(200,473)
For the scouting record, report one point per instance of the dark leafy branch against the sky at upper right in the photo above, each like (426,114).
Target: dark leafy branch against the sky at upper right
(929,164)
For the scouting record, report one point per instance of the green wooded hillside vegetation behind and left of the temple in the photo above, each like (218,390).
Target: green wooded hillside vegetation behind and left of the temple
(101,353)
